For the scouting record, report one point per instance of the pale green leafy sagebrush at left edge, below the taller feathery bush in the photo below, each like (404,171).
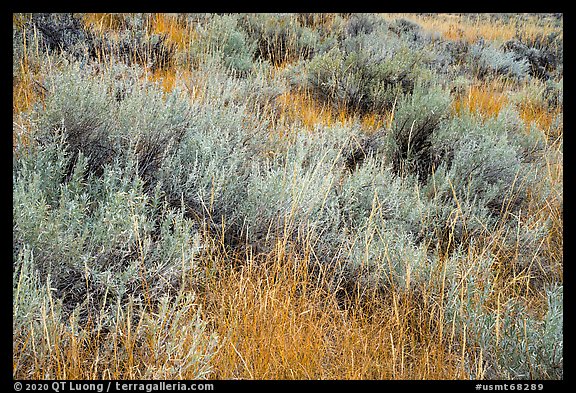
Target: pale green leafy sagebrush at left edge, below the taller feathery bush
(99,238)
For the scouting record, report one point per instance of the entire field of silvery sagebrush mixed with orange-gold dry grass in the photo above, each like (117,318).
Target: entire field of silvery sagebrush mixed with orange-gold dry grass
(287,196)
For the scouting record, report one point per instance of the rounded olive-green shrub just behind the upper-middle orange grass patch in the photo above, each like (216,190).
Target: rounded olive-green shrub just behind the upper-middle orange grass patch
(367,72)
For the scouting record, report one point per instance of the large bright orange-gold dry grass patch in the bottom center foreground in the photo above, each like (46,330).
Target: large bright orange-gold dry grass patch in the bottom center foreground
(276,320)
